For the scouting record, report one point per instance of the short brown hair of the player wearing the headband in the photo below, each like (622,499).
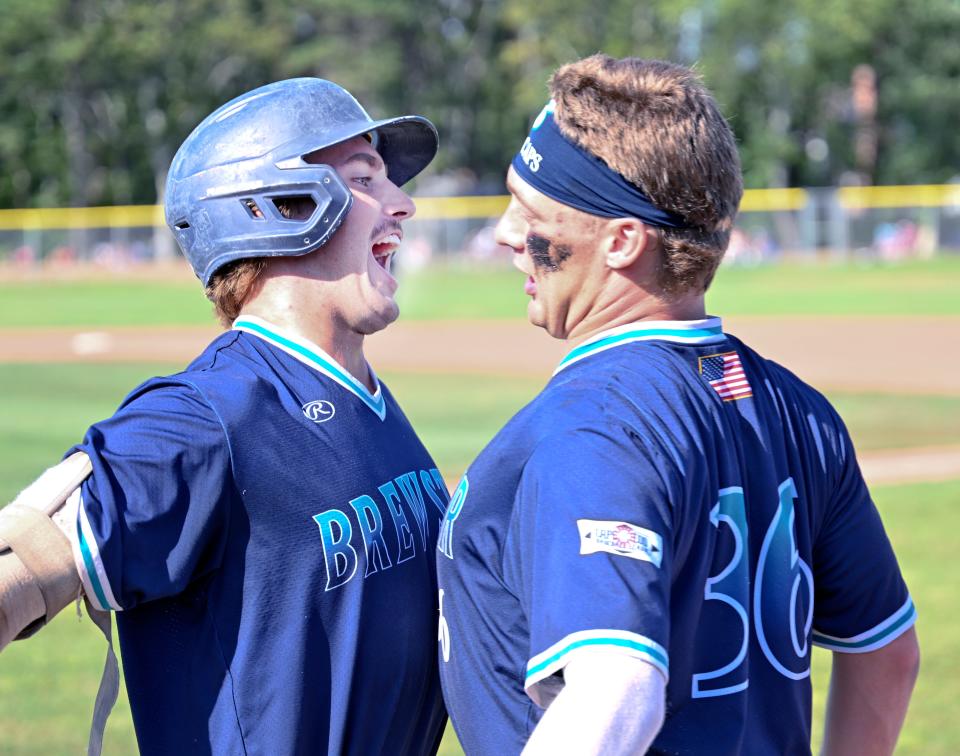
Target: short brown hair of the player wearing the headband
(657,125)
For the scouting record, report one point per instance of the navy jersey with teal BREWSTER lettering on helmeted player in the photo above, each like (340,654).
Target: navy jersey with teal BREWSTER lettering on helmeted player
(267,527)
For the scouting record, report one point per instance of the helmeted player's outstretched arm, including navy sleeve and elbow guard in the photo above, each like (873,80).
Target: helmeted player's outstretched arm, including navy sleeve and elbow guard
(162,462)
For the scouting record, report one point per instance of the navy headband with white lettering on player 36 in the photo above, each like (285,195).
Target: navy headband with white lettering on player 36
(555,166)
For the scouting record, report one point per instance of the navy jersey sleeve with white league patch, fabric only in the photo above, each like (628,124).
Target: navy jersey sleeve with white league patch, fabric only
(590,550)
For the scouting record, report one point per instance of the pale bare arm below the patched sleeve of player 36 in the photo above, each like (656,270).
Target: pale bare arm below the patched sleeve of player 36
(610,704)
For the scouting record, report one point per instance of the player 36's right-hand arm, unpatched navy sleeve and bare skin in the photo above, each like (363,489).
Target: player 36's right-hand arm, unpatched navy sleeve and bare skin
(863,614)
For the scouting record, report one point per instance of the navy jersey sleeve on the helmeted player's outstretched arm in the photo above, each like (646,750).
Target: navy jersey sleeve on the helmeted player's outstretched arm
(153,515)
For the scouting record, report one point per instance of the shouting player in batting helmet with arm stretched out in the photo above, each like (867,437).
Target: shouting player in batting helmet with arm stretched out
(264,522)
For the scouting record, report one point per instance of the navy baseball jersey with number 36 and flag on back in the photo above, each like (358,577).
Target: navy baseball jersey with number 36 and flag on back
(674,496)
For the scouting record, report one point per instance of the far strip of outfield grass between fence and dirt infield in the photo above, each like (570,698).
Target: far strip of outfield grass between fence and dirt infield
(463,292)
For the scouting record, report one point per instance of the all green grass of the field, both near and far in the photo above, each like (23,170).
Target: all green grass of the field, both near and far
(47,684)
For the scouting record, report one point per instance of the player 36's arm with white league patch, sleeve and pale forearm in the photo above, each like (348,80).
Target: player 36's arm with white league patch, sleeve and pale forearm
(593,553)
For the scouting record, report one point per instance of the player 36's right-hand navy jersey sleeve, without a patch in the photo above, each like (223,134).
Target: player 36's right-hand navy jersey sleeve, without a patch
(861,602)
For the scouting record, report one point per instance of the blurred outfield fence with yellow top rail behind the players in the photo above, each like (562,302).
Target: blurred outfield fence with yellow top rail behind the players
(888,221)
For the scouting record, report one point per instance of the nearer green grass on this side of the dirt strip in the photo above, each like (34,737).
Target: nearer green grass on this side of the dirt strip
(47,684)
